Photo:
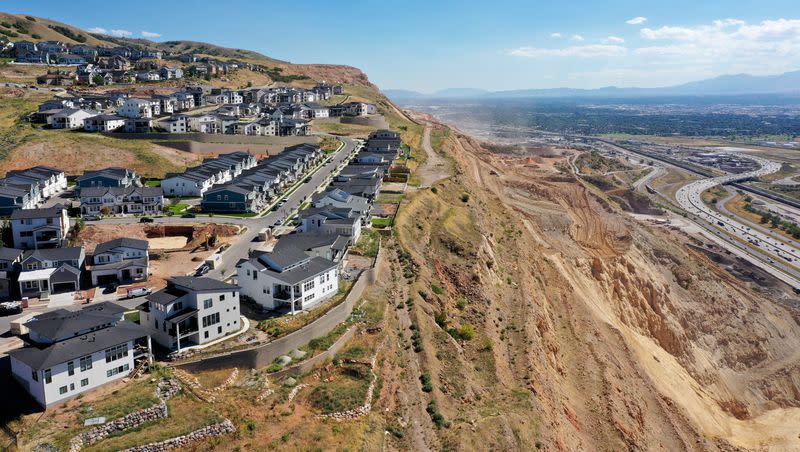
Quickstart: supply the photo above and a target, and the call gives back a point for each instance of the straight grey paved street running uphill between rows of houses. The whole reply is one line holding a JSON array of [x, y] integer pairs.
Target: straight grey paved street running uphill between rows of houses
[[320, 179]]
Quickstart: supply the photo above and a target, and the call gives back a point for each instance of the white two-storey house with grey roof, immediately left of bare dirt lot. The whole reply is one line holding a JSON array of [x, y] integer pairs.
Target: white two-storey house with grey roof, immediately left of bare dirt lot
[[121, 260]]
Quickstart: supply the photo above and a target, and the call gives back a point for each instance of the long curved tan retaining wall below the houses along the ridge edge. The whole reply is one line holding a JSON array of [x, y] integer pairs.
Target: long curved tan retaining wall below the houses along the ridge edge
[[263, 355]]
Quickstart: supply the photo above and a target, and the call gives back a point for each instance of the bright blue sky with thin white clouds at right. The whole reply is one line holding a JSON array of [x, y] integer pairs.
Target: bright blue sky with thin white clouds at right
[[495, 45]]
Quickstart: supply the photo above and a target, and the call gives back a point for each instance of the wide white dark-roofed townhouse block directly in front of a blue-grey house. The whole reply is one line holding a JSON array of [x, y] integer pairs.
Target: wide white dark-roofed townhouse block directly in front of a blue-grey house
[[130, 200]]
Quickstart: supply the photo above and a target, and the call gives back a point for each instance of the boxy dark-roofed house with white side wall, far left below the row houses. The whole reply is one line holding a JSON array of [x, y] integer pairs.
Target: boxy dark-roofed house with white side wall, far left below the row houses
[[40, 228]]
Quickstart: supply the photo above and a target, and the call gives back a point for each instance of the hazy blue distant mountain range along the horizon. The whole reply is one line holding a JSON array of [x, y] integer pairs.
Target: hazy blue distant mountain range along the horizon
[[739, 84]]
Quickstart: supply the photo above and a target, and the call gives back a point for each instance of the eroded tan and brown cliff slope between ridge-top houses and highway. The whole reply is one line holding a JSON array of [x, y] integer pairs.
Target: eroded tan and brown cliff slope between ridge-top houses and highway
[[592, 331]]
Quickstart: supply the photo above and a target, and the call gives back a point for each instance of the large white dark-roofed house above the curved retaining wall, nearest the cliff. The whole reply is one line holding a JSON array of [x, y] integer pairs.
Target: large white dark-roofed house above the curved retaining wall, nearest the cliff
[[288, 277]]
